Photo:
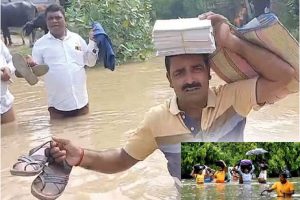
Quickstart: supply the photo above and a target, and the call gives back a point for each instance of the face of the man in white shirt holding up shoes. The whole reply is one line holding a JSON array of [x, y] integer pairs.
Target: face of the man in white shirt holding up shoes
[[56, 23]]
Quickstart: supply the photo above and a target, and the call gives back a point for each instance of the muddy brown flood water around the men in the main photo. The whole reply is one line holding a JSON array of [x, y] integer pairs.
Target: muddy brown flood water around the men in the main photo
[[118, 101]]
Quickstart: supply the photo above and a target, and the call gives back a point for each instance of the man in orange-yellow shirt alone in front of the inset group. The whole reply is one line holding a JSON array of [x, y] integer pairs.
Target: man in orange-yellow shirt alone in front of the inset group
[[284, 188]]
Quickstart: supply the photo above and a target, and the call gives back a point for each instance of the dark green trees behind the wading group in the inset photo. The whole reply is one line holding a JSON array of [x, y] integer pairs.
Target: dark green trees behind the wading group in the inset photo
[[280, 155]]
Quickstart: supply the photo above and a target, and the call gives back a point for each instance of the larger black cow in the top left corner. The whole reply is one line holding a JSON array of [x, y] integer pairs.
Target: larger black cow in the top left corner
[[15, 14]]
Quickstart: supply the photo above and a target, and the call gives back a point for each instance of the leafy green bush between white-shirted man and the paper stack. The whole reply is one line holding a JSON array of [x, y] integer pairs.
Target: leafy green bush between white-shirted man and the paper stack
[[127, 23]]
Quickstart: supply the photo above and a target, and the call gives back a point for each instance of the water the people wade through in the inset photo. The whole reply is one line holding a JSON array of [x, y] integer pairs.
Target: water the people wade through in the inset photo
[[222, 191]]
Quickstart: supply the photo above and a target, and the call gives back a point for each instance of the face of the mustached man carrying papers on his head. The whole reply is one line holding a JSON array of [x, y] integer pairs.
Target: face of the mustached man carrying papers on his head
[[189, 77]]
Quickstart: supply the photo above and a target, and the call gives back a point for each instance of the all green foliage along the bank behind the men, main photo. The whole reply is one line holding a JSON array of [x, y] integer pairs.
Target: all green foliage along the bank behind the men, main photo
[[129, 23]]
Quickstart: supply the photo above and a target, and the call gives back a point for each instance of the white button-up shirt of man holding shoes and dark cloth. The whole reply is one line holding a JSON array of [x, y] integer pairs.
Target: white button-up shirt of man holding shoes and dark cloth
[[66, 79]]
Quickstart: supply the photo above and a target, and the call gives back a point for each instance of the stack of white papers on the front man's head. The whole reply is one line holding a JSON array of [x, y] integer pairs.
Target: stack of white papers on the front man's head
[[183, 36]]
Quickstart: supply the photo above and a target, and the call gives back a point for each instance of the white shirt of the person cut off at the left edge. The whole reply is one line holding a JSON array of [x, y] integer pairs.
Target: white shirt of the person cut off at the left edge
[[5, 61]]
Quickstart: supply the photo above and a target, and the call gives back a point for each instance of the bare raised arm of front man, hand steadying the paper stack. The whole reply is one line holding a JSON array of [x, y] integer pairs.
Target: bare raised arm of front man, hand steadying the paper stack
[[274, 73]]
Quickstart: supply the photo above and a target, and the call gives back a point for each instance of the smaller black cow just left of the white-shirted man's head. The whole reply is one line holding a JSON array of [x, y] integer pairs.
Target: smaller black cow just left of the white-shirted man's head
[[38, 22]]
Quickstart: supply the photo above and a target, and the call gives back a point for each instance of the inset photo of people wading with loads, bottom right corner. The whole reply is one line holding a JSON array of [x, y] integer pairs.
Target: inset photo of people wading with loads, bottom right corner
[[252, 170]]
